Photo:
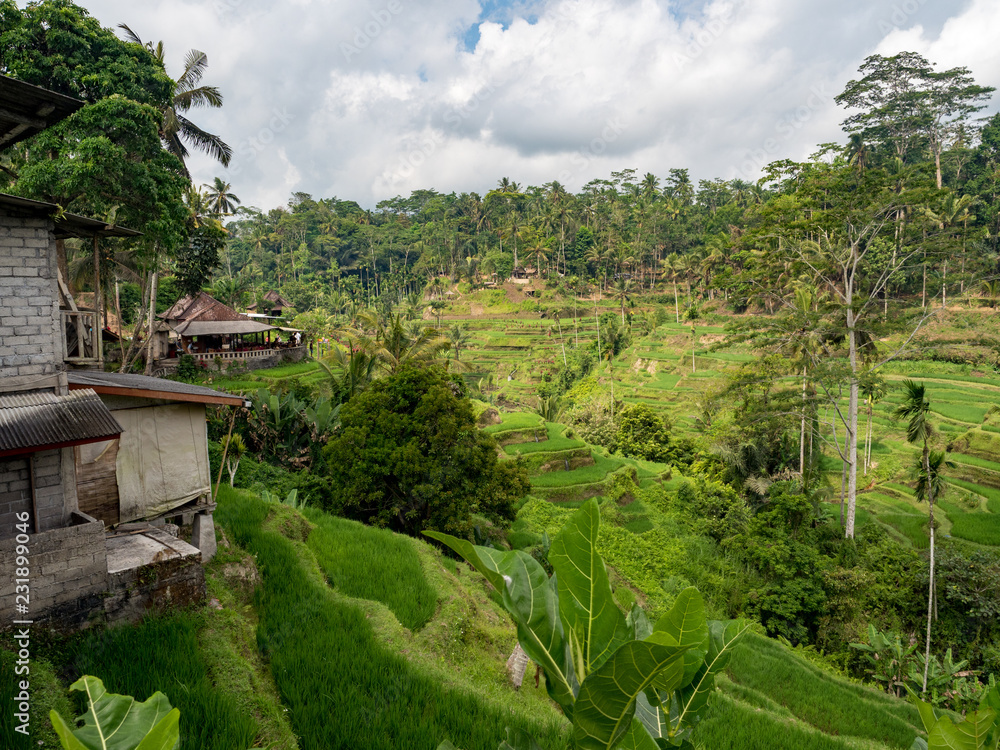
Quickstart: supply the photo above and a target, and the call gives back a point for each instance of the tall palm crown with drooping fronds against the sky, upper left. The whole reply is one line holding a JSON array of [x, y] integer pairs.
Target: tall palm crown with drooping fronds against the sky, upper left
[[175, 129]]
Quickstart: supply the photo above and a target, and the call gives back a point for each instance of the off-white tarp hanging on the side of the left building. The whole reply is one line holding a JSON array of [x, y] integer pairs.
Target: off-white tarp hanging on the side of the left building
[[162, 459]]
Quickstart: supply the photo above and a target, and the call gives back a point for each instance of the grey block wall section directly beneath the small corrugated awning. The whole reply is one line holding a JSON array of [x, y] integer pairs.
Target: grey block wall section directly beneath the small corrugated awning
[[50, 498]]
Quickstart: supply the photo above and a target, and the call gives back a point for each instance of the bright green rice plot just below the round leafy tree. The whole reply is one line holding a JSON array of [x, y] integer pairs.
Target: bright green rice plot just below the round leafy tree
[[369, 563]]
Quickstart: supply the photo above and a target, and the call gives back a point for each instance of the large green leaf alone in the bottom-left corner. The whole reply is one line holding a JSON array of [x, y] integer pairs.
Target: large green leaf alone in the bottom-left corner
[[119, 722]]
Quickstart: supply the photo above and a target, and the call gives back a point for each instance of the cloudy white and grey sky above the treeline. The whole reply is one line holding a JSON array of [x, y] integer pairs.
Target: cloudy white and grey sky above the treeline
[[366, 100]]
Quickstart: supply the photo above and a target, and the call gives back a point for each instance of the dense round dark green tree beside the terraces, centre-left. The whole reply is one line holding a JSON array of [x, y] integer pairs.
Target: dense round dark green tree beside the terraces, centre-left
[[409, 456]]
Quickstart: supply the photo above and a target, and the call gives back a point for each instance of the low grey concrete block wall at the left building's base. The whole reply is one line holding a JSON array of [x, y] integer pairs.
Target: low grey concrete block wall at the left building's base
[[68, 574]]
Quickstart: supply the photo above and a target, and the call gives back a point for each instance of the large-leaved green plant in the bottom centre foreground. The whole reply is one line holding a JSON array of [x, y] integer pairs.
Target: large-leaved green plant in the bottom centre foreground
[[621, 681]]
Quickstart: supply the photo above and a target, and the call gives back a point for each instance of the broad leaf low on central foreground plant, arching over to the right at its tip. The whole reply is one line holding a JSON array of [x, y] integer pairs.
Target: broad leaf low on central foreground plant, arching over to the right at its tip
[[605, 705]]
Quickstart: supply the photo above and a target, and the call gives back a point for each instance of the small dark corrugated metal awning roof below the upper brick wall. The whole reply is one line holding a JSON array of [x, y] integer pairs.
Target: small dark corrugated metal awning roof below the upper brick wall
[[37, 420]]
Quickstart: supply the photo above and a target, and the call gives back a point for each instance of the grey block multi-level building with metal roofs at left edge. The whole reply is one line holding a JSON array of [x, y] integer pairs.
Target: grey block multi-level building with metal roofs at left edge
[[58, 435]]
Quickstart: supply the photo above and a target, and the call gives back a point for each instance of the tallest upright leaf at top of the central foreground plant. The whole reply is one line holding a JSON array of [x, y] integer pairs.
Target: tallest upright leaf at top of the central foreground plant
[[586, 603]]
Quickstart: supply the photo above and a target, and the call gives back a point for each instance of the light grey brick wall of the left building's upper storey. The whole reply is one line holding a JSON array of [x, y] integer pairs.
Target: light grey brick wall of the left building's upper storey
[[30, 329]]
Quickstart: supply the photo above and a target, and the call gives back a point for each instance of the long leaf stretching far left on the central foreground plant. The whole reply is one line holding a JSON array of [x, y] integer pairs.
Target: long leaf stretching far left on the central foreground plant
[[532, 600]]
